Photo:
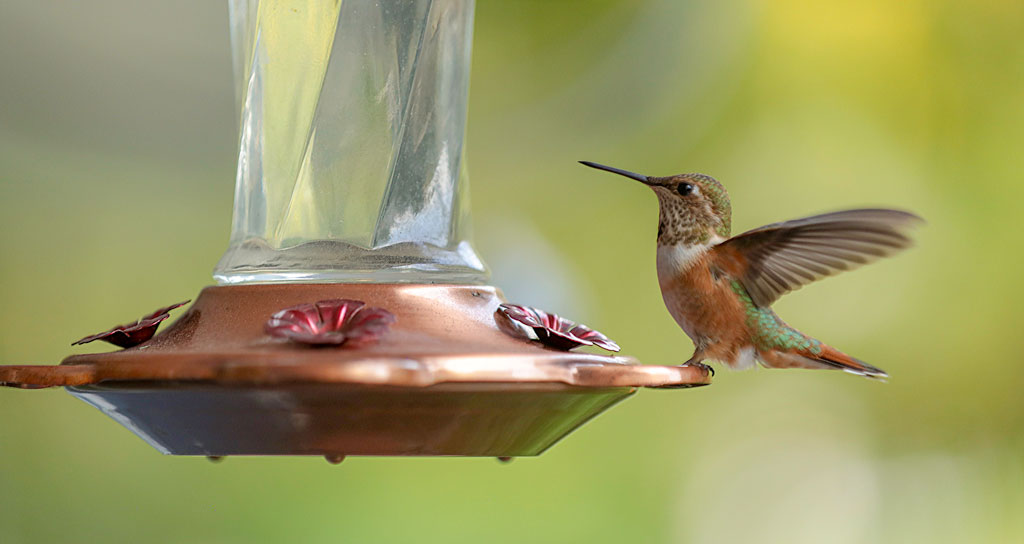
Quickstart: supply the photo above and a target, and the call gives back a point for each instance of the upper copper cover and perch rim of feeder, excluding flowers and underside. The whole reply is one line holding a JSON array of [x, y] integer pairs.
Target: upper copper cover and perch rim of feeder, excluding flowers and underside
[[444, 334]]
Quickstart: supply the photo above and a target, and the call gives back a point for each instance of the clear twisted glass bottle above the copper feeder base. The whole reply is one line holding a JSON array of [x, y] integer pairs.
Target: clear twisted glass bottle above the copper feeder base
[[351, 163]]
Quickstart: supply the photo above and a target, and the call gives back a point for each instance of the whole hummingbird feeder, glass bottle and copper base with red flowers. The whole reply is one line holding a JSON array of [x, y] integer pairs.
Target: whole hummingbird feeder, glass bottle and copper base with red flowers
[[352, 316]]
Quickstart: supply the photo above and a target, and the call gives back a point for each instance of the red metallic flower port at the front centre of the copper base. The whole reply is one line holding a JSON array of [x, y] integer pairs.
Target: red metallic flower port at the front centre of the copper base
[[331, 323]]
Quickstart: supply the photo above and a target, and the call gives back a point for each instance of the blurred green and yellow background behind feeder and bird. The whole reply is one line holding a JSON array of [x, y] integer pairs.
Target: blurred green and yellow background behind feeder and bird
[[117, 157]]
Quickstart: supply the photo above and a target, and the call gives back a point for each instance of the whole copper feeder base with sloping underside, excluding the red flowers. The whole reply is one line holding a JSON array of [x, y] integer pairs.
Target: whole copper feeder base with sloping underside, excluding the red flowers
[[447, 380]]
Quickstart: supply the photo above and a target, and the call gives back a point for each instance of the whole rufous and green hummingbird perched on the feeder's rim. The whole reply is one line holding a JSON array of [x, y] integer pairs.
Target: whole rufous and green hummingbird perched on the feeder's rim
[[720, 288]]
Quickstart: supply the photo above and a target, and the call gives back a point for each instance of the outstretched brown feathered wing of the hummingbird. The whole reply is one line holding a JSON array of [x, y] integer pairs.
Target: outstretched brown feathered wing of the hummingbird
[[778, 259]]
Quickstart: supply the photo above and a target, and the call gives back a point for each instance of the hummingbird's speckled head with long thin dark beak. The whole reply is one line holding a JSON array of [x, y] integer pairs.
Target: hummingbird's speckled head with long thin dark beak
[[695, 208]]
